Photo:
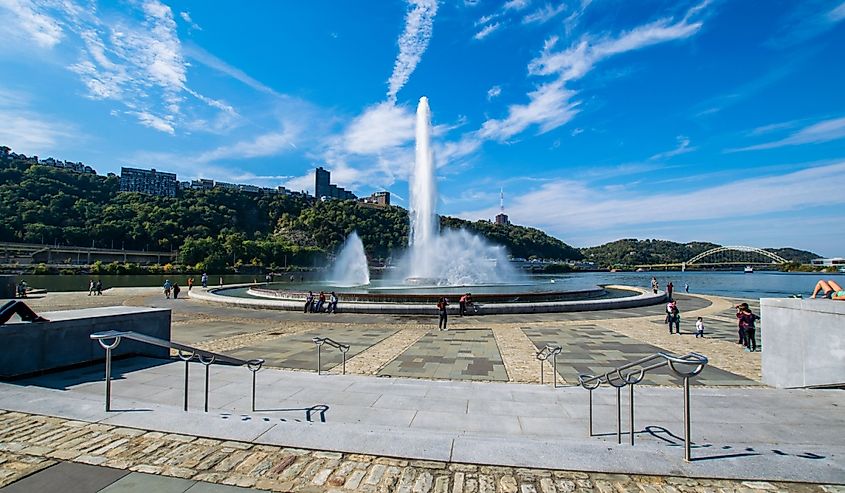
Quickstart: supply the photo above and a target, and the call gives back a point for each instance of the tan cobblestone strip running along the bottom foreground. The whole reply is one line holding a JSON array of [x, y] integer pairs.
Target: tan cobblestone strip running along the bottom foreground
[[30, 443]]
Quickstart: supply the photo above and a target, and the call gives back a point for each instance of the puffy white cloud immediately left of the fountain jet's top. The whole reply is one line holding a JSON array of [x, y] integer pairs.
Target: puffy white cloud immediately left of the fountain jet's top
[[380, 127]]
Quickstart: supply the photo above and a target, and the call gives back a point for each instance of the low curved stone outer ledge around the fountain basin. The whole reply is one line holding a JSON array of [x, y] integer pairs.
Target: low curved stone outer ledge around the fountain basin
[[640, 297]]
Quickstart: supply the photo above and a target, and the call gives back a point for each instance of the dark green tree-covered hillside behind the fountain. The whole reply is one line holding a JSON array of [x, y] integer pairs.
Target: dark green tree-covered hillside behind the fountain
[[216, 229]]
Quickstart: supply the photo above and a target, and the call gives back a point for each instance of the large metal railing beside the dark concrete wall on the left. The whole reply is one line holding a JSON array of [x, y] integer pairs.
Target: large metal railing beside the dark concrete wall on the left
[[186, 353]]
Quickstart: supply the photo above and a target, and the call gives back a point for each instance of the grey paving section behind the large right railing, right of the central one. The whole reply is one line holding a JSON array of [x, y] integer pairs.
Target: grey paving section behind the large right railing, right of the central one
[[594, 350]]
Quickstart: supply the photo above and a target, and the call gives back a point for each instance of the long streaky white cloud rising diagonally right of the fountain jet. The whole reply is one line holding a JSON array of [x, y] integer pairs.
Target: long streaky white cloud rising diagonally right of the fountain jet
[[551, 104]]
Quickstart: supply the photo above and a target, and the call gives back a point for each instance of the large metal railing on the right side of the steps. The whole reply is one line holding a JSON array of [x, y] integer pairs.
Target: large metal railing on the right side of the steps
[[686, 367]]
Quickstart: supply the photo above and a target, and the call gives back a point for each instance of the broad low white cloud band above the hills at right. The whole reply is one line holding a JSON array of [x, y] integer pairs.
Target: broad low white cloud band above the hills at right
[[810, 187]]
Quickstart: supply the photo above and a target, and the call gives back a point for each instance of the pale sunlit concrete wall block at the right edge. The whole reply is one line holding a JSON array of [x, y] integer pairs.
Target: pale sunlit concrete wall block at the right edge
[[803, 342]]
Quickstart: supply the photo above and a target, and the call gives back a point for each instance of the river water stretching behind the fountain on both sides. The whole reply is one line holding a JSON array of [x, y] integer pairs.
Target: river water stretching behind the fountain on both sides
[[730, 284]]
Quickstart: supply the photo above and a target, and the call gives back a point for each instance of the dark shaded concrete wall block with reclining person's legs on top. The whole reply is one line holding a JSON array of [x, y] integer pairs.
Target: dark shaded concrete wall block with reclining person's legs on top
[[64, 341]]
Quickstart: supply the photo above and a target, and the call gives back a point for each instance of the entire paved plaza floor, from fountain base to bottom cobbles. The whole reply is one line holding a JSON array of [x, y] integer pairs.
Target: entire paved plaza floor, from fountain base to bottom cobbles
[[440, 423]]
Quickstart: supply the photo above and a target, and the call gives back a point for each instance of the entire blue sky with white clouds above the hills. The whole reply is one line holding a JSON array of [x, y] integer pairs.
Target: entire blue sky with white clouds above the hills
[[717, 121]]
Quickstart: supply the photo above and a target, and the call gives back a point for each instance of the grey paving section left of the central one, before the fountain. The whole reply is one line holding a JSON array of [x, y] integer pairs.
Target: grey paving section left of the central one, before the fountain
[[299, 351]]
